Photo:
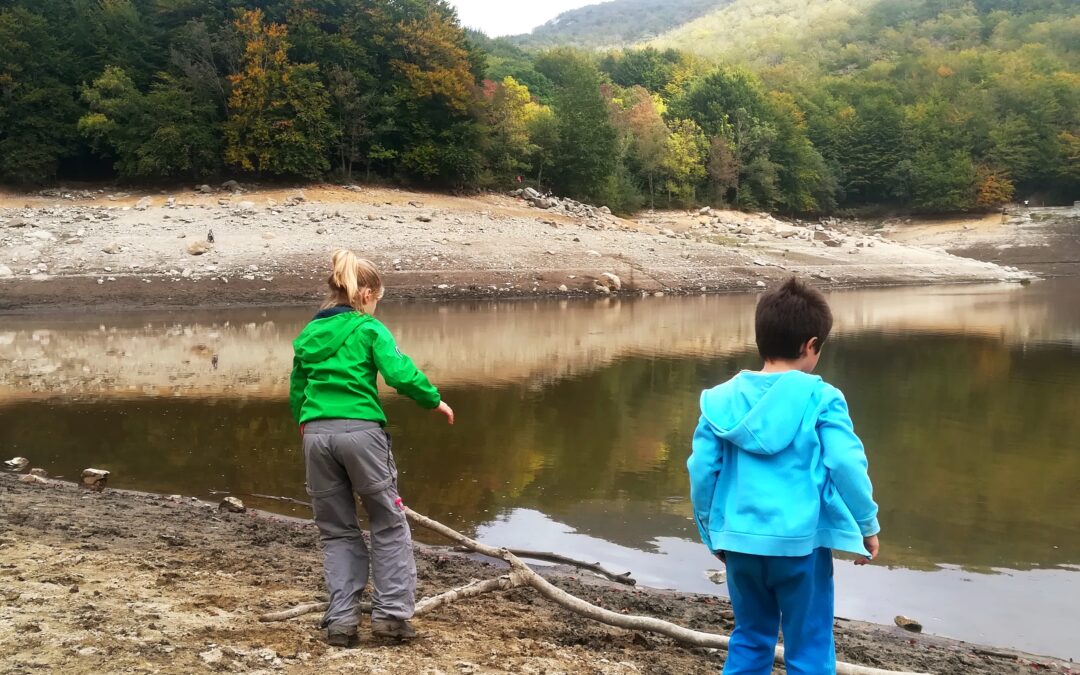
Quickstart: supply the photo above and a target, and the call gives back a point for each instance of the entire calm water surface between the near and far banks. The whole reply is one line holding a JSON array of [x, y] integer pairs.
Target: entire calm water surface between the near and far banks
[[574, 425]]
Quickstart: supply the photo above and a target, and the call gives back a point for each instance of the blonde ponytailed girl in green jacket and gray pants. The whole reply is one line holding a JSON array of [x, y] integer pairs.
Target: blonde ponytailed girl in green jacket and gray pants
[[335, 399]]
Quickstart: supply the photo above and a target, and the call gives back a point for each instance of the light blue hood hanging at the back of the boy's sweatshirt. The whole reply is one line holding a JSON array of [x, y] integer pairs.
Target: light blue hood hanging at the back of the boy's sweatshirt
[[760, 413]]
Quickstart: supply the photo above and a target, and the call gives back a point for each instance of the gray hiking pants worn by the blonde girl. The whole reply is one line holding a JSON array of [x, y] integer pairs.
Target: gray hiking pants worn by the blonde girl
[[344, 457]]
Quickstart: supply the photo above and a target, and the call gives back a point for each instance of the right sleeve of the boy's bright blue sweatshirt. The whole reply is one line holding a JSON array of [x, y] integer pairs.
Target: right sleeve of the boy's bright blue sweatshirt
[[846, 463]]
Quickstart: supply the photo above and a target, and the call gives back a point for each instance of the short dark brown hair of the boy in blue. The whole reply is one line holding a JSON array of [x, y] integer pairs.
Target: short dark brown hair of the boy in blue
[[788, 317]]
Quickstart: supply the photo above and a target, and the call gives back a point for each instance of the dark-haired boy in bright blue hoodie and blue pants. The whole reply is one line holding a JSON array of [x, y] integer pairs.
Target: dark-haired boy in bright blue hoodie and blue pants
[[778, 480]]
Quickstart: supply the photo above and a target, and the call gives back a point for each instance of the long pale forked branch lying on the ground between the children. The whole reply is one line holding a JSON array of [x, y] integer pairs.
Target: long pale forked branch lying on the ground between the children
[[522, 576]]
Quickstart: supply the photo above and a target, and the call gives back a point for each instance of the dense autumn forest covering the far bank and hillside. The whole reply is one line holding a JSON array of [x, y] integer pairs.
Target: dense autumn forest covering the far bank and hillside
[[920, 105]]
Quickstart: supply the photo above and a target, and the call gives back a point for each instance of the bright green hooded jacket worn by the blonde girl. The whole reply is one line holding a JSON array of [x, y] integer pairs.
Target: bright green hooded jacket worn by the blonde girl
[[337, 358]]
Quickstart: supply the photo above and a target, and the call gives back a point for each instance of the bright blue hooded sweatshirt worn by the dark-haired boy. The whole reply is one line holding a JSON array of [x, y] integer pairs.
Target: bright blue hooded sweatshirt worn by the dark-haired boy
[[777, 468]]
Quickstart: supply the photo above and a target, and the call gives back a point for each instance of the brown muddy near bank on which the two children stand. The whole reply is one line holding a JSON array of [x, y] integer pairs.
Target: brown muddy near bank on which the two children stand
[[137, 584]]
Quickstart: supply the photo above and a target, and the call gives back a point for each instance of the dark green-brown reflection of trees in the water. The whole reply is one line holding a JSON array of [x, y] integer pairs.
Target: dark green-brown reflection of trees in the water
[[974, 445]]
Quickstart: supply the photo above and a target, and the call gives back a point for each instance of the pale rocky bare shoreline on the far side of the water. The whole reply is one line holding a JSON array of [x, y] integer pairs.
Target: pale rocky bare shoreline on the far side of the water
[[272, 247]]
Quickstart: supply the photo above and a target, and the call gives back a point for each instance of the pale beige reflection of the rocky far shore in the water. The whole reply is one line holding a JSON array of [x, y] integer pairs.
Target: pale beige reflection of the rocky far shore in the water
[[248, 354]]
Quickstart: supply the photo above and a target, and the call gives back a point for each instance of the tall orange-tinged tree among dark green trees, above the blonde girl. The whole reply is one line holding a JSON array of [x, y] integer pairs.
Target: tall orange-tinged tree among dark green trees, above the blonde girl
[[279, 119]]
